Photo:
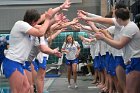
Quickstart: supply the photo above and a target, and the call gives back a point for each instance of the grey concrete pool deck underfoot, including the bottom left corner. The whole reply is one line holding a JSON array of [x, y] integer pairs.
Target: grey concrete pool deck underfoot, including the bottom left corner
[[59, 84]]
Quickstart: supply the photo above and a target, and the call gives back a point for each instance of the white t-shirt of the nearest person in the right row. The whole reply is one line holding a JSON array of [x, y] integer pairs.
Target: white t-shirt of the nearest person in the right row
[[132, 49]]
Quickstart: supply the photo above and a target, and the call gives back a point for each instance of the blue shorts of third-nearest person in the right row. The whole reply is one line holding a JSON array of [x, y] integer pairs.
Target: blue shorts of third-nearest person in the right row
[[112, 66]]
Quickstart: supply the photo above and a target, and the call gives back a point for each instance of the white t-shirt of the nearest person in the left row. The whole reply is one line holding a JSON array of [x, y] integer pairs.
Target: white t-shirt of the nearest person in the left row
[[19, 42]]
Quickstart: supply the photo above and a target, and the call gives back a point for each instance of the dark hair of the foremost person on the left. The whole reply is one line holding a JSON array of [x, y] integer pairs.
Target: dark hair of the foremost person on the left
[[31, 15]]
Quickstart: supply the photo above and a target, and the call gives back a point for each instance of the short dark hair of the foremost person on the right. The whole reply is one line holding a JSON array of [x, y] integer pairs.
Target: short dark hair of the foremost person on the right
[[122, 13]]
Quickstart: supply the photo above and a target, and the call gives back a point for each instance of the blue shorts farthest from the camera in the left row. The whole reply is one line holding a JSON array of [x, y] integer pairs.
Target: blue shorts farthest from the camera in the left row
[[38, 65]]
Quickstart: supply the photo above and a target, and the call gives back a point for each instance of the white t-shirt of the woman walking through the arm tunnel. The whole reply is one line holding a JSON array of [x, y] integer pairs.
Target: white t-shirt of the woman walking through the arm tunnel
[[72, 50]]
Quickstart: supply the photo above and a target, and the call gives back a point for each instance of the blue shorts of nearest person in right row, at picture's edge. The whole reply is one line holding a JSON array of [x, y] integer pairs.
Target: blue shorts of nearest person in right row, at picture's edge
[[134, 65]]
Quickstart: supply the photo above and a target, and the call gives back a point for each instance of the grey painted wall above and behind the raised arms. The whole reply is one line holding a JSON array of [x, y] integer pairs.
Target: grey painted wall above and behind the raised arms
[[9, 14]]
